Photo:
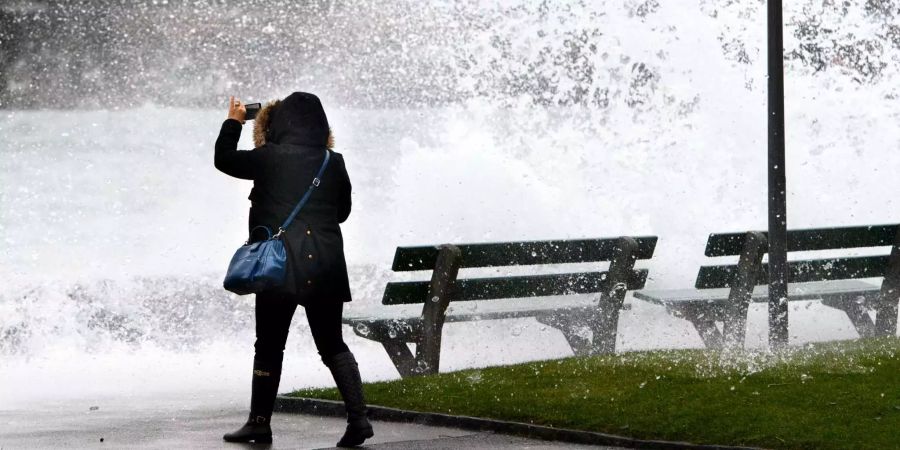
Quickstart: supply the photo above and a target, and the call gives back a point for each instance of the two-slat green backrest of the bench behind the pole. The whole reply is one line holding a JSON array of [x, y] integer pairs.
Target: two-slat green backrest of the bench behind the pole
[[719, 276]]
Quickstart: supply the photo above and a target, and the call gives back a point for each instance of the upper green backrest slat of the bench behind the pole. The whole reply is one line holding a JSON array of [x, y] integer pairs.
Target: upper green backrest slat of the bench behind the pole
[[726, 244]]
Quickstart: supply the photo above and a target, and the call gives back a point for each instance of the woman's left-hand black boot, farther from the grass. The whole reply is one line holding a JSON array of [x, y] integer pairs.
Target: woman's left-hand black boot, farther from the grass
[[262, 401]]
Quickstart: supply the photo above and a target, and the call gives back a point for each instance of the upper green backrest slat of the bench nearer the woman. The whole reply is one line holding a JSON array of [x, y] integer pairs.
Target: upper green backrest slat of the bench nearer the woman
[[521, 253]]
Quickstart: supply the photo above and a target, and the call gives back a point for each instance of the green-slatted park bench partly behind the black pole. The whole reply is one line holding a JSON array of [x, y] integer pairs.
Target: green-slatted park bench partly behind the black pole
[[723, 293]]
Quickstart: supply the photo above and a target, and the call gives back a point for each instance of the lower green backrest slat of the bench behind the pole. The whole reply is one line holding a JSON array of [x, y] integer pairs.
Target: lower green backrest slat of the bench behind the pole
[[800, 271]]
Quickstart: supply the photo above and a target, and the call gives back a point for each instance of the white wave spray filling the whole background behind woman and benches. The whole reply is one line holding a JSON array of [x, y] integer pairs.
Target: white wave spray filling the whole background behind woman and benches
[[523, 120]]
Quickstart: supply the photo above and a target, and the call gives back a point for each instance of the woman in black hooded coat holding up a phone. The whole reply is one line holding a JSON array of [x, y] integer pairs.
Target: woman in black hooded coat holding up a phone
[[291, 138]]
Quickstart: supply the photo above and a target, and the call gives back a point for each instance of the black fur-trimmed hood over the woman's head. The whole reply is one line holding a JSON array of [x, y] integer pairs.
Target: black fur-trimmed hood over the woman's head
[[299, 119]]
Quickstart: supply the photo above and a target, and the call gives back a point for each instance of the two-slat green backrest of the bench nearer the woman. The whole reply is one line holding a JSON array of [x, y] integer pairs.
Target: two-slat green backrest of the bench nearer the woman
[[519, 254]]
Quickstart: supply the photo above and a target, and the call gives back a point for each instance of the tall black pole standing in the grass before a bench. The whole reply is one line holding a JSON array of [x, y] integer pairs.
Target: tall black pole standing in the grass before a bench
[[778, 313]]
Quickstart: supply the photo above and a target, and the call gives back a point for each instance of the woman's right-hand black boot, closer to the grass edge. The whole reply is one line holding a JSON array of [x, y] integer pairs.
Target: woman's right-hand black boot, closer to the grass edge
[[346, 375]]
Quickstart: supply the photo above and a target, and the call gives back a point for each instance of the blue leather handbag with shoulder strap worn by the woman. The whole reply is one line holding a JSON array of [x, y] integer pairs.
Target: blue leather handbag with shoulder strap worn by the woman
[[262, 266]]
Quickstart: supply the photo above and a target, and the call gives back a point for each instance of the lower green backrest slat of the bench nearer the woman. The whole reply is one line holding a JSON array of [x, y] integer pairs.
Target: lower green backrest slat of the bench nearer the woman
[[398, 293]]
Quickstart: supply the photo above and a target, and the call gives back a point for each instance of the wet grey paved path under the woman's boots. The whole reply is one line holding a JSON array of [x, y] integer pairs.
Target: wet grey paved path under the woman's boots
[[170, 425]]
